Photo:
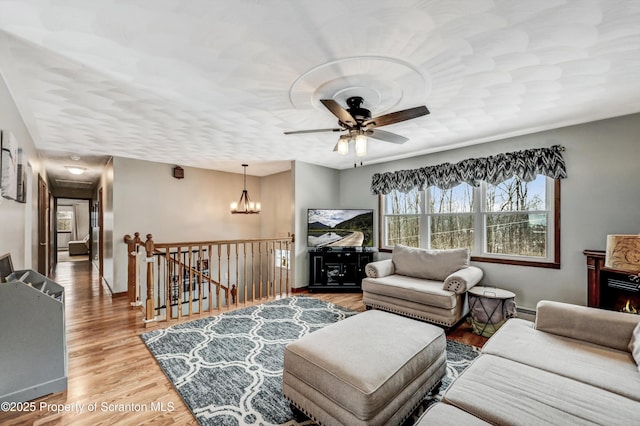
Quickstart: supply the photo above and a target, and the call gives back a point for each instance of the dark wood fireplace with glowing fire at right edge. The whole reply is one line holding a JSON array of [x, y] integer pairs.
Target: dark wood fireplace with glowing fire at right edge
[[610, 288]]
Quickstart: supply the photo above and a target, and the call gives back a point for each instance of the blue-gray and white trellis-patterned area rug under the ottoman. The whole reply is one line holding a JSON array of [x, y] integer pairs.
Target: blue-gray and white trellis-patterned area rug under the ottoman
[[228, 368]]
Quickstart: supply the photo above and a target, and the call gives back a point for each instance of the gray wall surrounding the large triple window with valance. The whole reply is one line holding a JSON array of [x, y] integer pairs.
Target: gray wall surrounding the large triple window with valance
[[599, 197]]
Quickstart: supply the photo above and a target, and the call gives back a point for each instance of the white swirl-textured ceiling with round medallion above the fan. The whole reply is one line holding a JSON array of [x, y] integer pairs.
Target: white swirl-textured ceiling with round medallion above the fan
[[214, 84]]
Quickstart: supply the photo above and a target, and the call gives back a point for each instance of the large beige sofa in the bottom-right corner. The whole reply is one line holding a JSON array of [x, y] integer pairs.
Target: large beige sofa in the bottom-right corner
[[575, 365]]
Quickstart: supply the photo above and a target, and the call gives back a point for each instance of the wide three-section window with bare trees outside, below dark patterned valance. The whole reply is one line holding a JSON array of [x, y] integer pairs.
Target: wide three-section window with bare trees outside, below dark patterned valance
[[511, 222]]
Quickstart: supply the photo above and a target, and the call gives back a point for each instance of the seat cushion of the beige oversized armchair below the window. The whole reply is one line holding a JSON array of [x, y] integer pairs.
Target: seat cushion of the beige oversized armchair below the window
[[417, 290]]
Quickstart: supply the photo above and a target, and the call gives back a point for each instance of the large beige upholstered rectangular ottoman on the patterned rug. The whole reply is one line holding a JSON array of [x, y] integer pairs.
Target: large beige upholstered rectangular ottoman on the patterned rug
[[373, 368]]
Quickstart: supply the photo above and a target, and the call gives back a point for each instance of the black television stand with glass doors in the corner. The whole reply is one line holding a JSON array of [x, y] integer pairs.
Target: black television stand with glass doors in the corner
[[335, 269]]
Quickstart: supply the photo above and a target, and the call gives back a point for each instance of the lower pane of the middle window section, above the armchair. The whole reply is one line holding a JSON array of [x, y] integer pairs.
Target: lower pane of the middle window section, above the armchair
[[452, 231]]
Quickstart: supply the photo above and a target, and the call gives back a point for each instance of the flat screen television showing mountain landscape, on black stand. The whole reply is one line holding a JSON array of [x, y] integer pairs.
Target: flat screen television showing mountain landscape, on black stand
[[340, 228]]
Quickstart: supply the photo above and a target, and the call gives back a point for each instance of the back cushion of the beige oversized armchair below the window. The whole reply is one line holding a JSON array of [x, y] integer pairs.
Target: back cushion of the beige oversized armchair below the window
[[428, 264]]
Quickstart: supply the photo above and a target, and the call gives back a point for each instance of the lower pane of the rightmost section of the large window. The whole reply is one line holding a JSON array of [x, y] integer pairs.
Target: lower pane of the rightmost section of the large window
[[517, 234]]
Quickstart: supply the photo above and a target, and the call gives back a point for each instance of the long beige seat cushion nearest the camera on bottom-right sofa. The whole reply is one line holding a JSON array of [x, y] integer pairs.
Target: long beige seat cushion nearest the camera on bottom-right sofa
[[501, 391]]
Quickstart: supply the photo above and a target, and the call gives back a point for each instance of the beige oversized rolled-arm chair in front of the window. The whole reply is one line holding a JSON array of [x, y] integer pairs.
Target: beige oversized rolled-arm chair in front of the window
[[430, 285]]
